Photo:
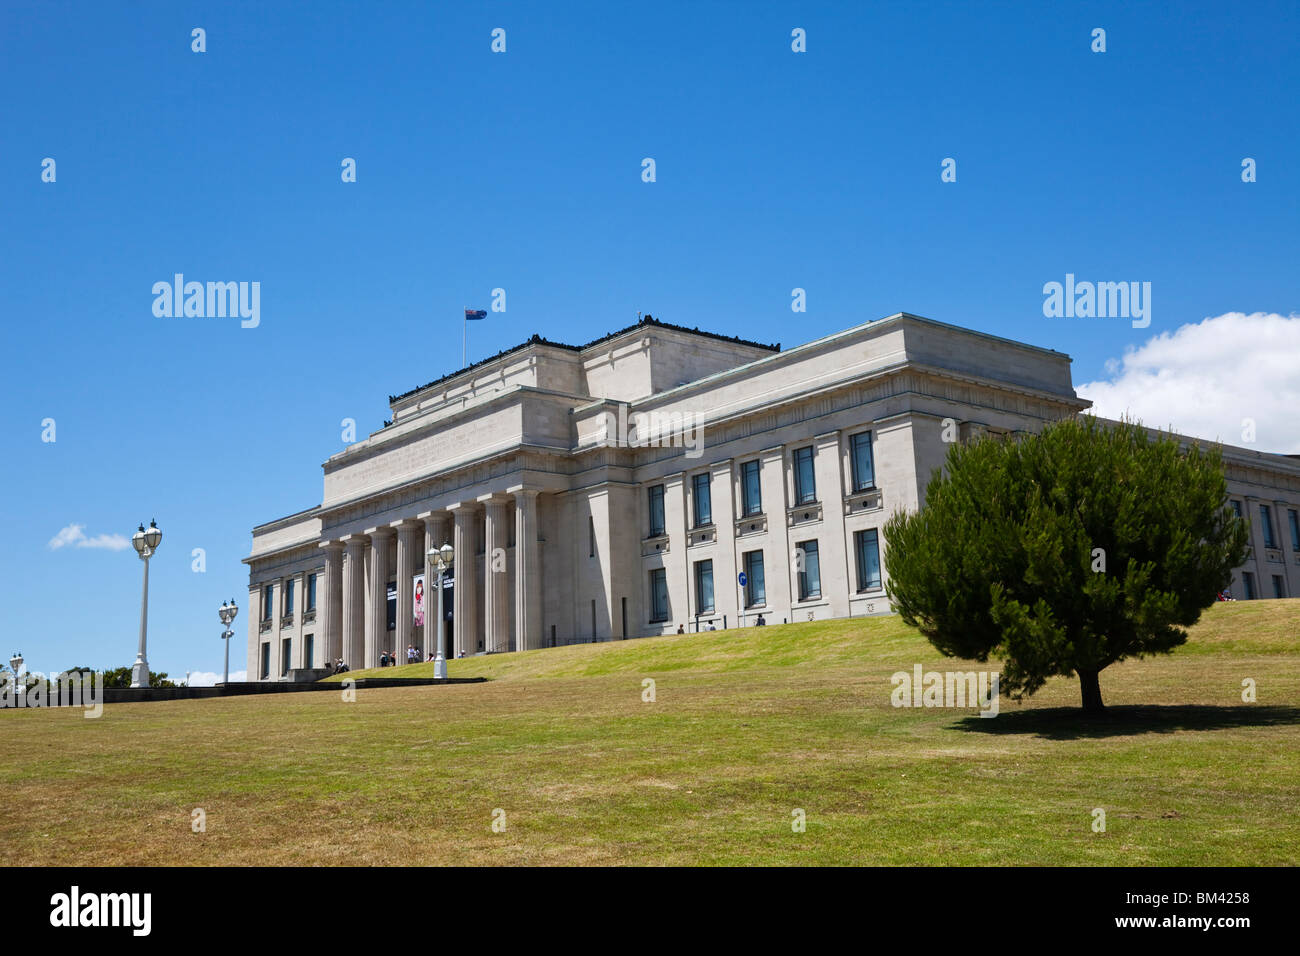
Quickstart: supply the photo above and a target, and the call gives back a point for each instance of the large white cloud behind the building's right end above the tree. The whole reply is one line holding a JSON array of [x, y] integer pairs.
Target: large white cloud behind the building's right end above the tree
[[1210, 379]]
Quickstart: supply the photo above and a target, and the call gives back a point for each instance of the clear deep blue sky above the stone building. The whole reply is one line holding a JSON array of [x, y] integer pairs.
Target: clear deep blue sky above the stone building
[[523, 171]]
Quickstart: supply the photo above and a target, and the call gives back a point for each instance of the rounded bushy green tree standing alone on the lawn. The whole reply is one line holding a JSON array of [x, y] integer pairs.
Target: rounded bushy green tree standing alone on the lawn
[[1065, 552]]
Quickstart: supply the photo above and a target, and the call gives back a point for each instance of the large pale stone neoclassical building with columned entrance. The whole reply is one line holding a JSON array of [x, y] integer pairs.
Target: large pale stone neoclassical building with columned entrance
[[658, 479]]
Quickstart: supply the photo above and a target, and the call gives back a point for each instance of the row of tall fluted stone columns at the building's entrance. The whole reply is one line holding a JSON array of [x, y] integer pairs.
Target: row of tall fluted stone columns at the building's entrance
[[361, 641]]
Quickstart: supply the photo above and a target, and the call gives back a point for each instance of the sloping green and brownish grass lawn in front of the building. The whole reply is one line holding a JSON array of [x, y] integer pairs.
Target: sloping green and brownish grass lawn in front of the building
[[747, 728]]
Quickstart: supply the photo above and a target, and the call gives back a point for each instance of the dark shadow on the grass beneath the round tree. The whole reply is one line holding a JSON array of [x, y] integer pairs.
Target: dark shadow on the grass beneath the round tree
[[1072, 724]]
